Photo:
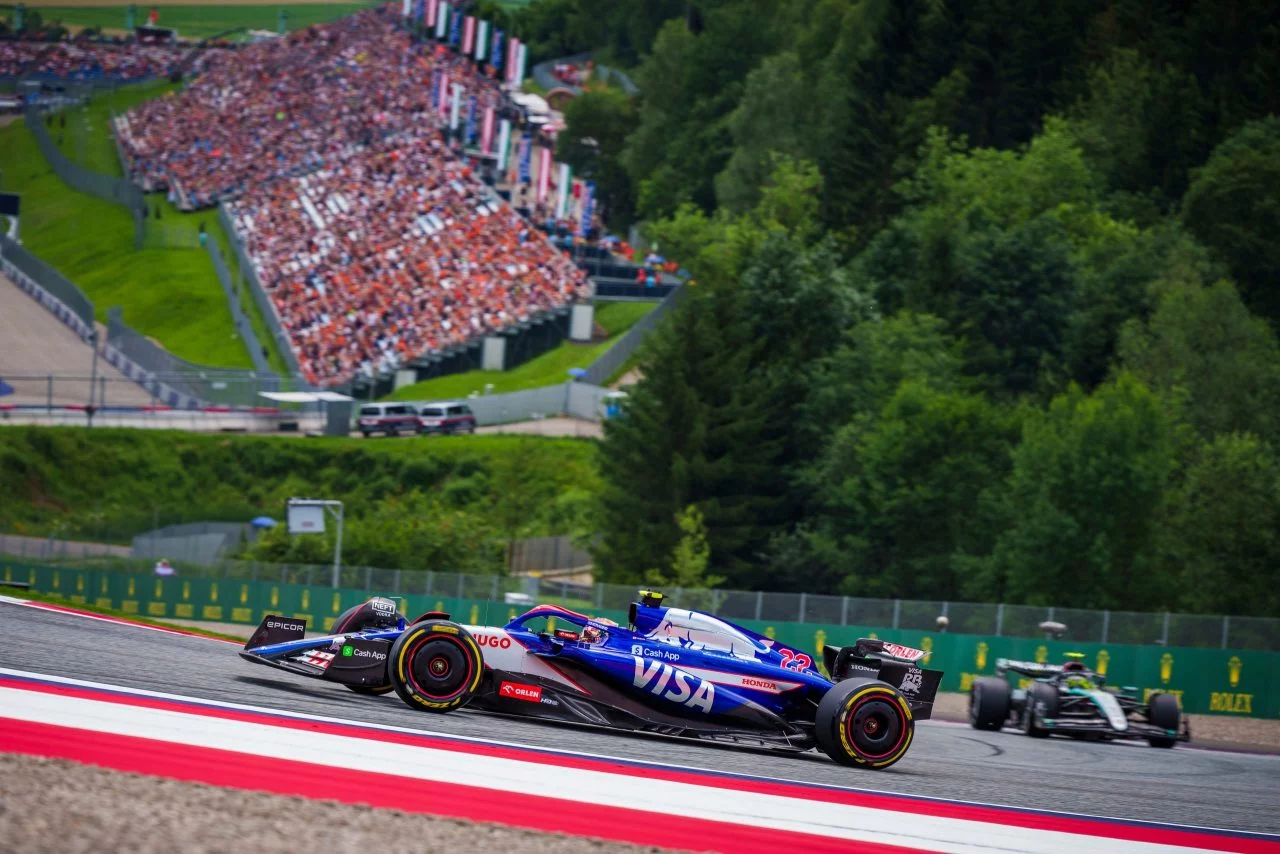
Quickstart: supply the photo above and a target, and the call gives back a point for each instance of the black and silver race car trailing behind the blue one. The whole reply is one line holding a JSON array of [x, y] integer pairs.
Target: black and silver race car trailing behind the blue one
[[1071, 700]]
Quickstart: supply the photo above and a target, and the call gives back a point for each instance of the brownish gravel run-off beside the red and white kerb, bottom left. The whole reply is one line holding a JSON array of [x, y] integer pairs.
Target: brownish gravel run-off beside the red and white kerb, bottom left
[[71, 809]]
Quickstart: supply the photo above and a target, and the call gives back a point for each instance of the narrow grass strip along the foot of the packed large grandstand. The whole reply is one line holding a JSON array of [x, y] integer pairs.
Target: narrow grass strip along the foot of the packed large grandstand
[[548, 369]]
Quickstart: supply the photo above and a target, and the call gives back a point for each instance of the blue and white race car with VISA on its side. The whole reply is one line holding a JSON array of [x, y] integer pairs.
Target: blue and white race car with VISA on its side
[[670, 672]]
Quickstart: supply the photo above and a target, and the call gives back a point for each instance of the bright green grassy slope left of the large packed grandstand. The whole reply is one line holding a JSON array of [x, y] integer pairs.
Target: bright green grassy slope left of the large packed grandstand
[[168, 290]]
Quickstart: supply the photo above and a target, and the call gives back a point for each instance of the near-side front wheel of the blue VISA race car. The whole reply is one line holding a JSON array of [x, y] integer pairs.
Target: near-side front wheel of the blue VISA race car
[[436, 666]]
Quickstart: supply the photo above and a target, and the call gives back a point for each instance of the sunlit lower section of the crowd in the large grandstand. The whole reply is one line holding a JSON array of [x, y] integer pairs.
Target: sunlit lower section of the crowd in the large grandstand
[[396, 253]]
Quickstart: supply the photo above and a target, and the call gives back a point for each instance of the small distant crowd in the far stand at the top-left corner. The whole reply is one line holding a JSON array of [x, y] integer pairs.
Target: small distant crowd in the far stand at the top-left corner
[[86, 61]]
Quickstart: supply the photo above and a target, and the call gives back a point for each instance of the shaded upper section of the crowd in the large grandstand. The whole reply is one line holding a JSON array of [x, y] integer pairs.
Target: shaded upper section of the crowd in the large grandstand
[[289, 107]]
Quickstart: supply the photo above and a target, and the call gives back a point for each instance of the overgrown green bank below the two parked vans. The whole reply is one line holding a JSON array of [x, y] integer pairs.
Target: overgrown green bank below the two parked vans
[[107, 486]]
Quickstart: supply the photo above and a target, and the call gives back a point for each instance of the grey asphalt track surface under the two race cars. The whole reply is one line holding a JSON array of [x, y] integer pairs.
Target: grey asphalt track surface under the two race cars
[[1183, 787]]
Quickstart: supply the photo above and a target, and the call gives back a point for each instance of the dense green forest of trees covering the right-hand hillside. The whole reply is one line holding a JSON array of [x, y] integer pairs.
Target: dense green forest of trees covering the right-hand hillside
[[986, 295]]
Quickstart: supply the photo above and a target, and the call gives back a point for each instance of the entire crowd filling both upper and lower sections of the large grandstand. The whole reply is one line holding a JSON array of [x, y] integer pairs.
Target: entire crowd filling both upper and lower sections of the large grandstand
[[374, 240]]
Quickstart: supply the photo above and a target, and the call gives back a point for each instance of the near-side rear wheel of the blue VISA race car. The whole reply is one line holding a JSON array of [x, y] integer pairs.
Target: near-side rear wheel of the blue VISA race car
[[865, 723]]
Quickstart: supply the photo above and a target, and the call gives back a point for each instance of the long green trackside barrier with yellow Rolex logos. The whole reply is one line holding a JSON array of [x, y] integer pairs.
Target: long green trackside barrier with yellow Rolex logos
[[1218, 682]]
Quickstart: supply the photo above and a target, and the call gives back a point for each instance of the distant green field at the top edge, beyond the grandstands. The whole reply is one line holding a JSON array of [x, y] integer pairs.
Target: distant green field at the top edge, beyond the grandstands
[[204, 21]]
